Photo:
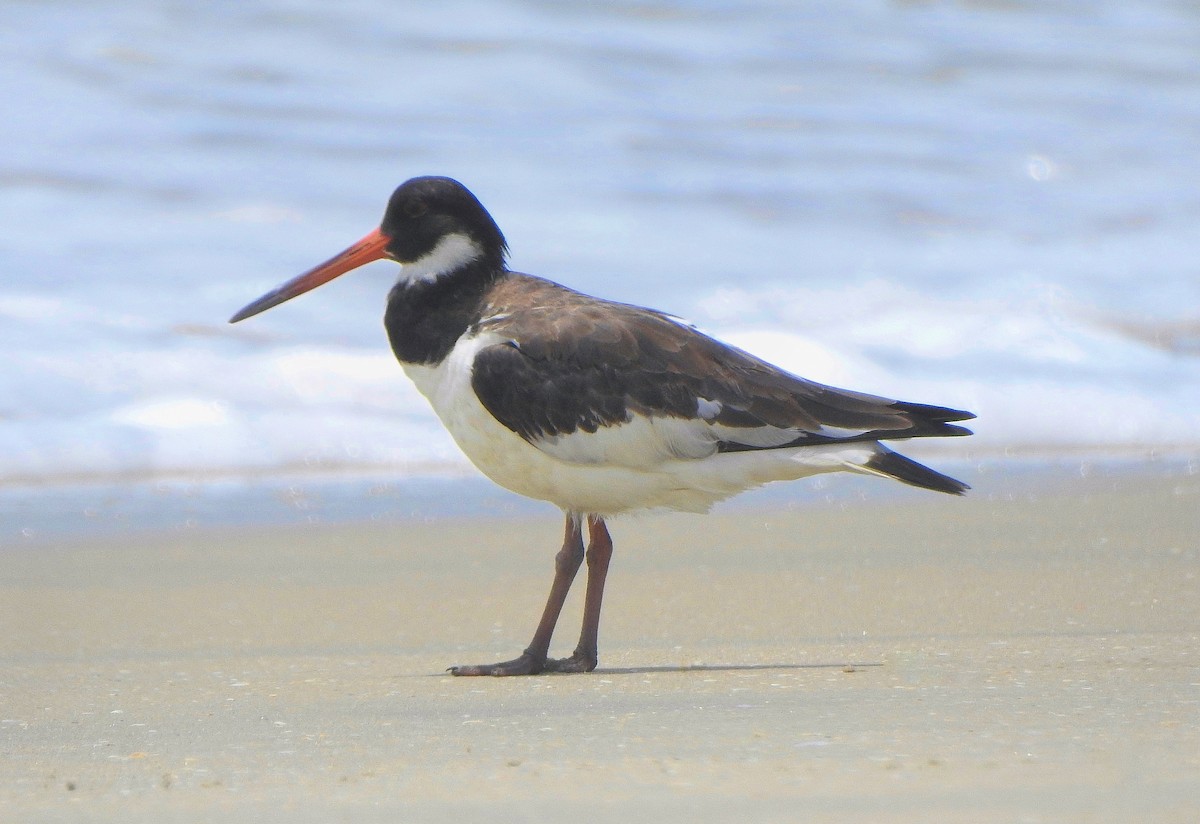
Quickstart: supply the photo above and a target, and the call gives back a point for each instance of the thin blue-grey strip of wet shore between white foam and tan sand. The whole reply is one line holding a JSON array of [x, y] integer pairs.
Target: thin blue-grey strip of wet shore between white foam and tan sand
[[32, 515]]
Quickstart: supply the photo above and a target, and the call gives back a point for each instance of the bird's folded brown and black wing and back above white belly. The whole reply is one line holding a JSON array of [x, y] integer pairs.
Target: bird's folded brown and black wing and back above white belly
[[571, 363]]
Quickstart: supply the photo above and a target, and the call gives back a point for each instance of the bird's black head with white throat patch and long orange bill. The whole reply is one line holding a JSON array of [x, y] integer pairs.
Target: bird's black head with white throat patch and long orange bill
[[434, 226]]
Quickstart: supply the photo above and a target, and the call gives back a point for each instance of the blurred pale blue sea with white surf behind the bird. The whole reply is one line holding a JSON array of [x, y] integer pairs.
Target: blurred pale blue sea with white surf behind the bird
[[987, 205]]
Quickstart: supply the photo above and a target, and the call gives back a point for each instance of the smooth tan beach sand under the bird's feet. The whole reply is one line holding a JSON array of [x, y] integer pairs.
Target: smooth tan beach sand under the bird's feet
[[1003, 658]]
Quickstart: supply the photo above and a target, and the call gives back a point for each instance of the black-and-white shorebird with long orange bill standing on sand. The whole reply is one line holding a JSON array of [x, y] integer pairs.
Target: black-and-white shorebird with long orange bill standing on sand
[[598, 407]]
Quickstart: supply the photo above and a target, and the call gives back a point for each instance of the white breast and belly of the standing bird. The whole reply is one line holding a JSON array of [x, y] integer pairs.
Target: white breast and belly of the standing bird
[[602, 489]]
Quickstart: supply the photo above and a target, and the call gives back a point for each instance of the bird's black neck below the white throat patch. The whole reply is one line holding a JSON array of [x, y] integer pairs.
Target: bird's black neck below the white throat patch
[[425, 318]]
